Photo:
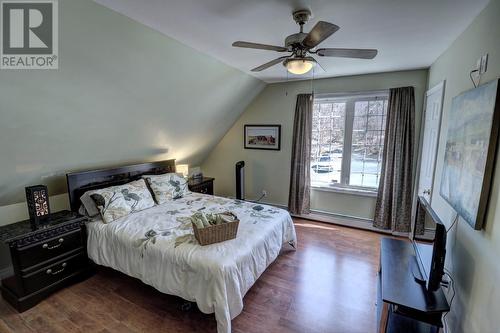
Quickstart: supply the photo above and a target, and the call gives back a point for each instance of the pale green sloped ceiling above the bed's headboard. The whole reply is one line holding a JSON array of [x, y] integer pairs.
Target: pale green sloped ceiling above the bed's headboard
[[123, 93]]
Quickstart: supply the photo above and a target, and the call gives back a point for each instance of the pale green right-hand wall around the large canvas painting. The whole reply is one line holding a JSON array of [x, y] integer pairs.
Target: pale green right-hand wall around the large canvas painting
[[472, 255]]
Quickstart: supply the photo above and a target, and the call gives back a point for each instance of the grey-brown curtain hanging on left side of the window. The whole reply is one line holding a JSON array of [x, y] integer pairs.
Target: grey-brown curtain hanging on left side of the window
[[300, 177]]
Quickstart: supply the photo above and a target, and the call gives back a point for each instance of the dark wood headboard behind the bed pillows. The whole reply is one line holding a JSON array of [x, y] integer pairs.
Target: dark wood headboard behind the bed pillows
[[80, 182]]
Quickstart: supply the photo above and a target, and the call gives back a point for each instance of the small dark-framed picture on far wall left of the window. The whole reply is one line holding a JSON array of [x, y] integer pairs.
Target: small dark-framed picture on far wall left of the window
[[267, 137]]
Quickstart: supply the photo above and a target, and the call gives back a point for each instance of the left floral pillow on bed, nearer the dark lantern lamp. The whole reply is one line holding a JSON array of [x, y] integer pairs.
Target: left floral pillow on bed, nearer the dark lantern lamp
[[118, 201]]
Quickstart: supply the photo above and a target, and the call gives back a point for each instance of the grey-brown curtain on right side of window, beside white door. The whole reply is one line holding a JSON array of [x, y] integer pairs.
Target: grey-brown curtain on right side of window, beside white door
[[394, 199]]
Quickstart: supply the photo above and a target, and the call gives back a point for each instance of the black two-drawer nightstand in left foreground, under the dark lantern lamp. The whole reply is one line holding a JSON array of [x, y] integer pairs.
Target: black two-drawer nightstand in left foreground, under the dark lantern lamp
[[44, 259]]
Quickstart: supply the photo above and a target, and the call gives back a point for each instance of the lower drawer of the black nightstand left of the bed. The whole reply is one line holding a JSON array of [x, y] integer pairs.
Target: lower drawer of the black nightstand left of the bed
[[53, 273]]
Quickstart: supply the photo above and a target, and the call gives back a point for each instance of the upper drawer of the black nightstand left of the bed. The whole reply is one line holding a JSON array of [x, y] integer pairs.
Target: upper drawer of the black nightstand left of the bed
[[48, 249]]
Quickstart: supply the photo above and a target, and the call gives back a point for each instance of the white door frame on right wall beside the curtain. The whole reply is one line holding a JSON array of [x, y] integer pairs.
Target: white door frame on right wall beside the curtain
[[440, 86]]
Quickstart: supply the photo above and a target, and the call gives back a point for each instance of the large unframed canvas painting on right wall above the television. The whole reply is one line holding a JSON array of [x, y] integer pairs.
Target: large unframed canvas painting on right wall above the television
[[470, 152]]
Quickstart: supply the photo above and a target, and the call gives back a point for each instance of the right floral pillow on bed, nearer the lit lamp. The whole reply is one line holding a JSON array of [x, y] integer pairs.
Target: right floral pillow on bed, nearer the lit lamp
[[167, 186]]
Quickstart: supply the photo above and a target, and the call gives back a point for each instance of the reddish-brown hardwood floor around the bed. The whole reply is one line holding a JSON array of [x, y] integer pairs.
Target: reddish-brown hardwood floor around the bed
[[327, 285]]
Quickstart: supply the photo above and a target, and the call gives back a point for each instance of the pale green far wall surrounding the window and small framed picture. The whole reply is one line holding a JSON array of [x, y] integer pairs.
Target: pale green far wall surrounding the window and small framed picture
[[270, 170]]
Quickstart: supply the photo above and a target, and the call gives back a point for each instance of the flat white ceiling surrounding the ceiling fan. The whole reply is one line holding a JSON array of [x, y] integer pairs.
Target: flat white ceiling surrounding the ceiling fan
[[409, 34]]
